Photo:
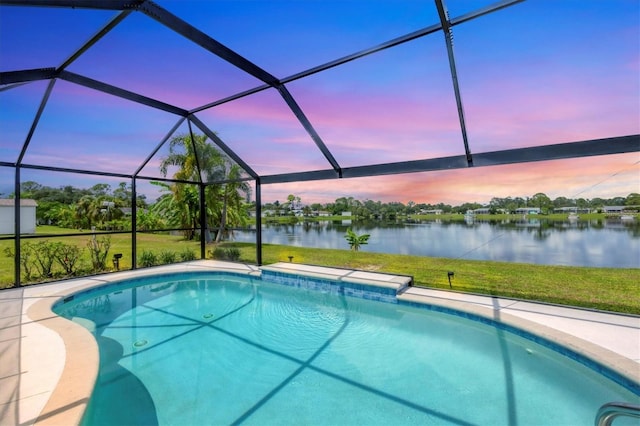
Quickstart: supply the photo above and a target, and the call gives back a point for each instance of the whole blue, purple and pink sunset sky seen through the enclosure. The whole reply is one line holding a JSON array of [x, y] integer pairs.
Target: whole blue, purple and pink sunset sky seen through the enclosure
[[536, 73]]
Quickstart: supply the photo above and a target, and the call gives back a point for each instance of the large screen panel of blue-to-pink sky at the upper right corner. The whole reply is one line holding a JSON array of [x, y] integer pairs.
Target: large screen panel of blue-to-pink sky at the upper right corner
[[526, 85]]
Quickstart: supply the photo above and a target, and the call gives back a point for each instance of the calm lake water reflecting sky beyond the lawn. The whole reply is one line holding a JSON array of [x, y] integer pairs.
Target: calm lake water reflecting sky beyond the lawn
[[599, 243]]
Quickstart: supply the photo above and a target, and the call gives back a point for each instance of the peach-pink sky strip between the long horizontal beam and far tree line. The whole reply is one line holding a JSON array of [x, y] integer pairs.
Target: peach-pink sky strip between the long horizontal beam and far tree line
[[606, 177]]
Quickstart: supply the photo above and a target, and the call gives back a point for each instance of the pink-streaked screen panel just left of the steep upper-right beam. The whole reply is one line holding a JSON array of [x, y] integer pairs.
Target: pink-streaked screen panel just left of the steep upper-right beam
[[394, 105]]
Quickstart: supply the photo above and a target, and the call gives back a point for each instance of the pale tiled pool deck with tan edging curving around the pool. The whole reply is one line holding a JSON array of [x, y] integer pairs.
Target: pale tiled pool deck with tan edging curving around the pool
[[47, 380]]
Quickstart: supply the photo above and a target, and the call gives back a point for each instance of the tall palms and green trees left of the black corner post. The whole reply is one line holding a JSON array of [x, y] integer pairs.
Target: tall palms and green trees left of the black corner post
[[103, 207]]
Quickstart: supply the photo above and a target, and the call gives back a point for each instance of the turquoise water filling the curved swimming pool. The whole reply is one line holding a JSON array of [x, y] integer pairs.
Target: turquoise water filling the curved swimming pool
[[227, 349]]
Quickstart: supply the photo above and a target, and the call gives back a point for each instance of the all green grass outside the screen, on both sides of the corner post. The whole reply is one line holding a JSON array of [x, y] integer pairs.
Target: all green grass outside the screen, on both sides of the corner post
[[610, 289]]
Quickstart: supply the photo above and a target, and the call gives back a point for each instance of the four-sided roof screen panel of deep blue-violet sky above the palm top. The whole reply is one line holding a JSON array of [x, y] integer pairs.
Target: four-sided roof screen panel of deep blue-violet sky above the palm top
[[161, 64]]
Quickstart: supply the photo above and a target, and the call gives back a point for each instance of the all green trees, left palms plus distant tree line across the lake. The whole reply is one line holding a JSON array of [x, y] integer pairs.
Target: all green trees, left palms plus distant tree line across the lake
[[228, 199]]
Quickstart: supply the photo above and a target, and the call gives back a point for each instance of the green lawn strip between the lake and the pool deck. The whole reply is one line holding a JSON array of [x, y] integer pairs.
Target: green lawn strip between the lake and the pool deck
[[609, 289]]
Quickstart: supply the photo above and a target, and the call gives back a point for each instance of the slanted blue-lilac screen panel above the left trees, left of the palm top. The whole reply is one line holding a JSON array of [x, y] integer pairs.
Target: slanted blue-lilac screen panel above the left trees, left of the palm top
[[85, 129]]
